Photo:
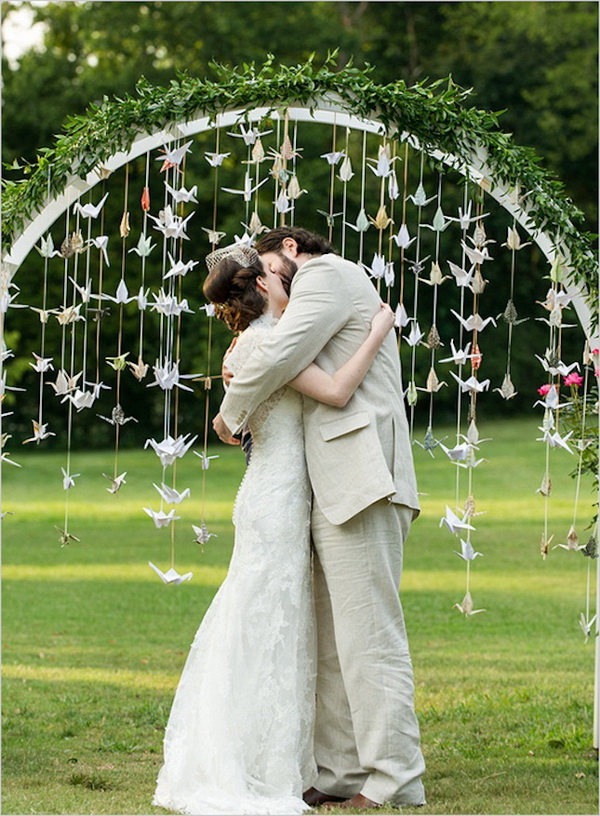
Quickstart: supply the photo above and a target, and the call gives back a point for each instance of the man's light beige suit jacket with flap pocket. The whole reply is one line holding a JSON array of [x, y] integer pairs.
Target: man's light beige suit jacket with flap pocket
[[358, 454]]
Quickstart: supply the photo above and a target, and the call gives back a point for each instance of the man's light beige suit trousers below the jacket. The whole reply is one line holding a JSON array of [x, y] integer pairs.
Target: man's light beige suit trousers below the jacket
[[367, 735]]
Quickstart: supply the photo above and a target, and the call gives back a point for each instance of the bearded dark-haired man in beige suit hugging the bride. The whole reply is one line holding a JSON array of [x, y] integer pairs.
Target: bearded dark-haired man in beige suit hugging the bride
[[361, 471]]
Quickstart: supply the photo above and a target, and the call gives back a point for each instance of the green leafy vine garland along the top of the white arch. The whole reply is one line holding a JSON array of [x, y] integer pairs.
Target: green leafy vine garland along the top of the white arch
[[433, 111]]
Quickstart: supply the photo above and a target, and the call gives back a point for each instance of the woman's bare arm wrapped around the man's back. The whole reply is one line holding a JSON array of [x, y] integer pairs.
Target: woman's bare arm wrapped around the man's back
[[337, 389]]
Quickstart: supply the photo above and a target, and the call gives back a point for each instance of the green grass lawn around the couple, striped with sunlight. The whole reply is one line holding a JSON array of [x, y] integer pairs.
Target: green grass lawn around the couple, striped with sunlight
[[93, 641]]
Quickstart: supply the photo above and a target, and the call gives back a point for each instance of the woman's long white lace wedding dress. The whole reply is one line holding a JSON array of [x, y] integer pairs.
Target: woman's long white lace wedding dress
[[240, 734]]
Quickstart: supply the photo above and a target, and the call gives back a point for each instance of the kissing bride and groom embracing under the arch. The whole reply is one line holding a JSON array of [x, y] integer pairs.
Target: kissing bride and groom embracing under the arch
[[298, 688]]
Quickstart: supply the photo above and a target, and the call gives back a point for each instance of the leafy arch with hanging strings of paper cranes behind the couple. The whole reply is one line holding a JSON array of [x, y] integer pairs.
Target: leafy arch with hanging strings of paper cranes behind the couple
[[444, 212]]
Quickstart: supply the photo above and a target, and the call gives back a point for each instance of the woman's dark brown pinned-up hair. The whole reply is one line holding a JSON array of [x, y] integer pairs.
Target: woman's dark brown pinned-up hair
[[232, 289]]
